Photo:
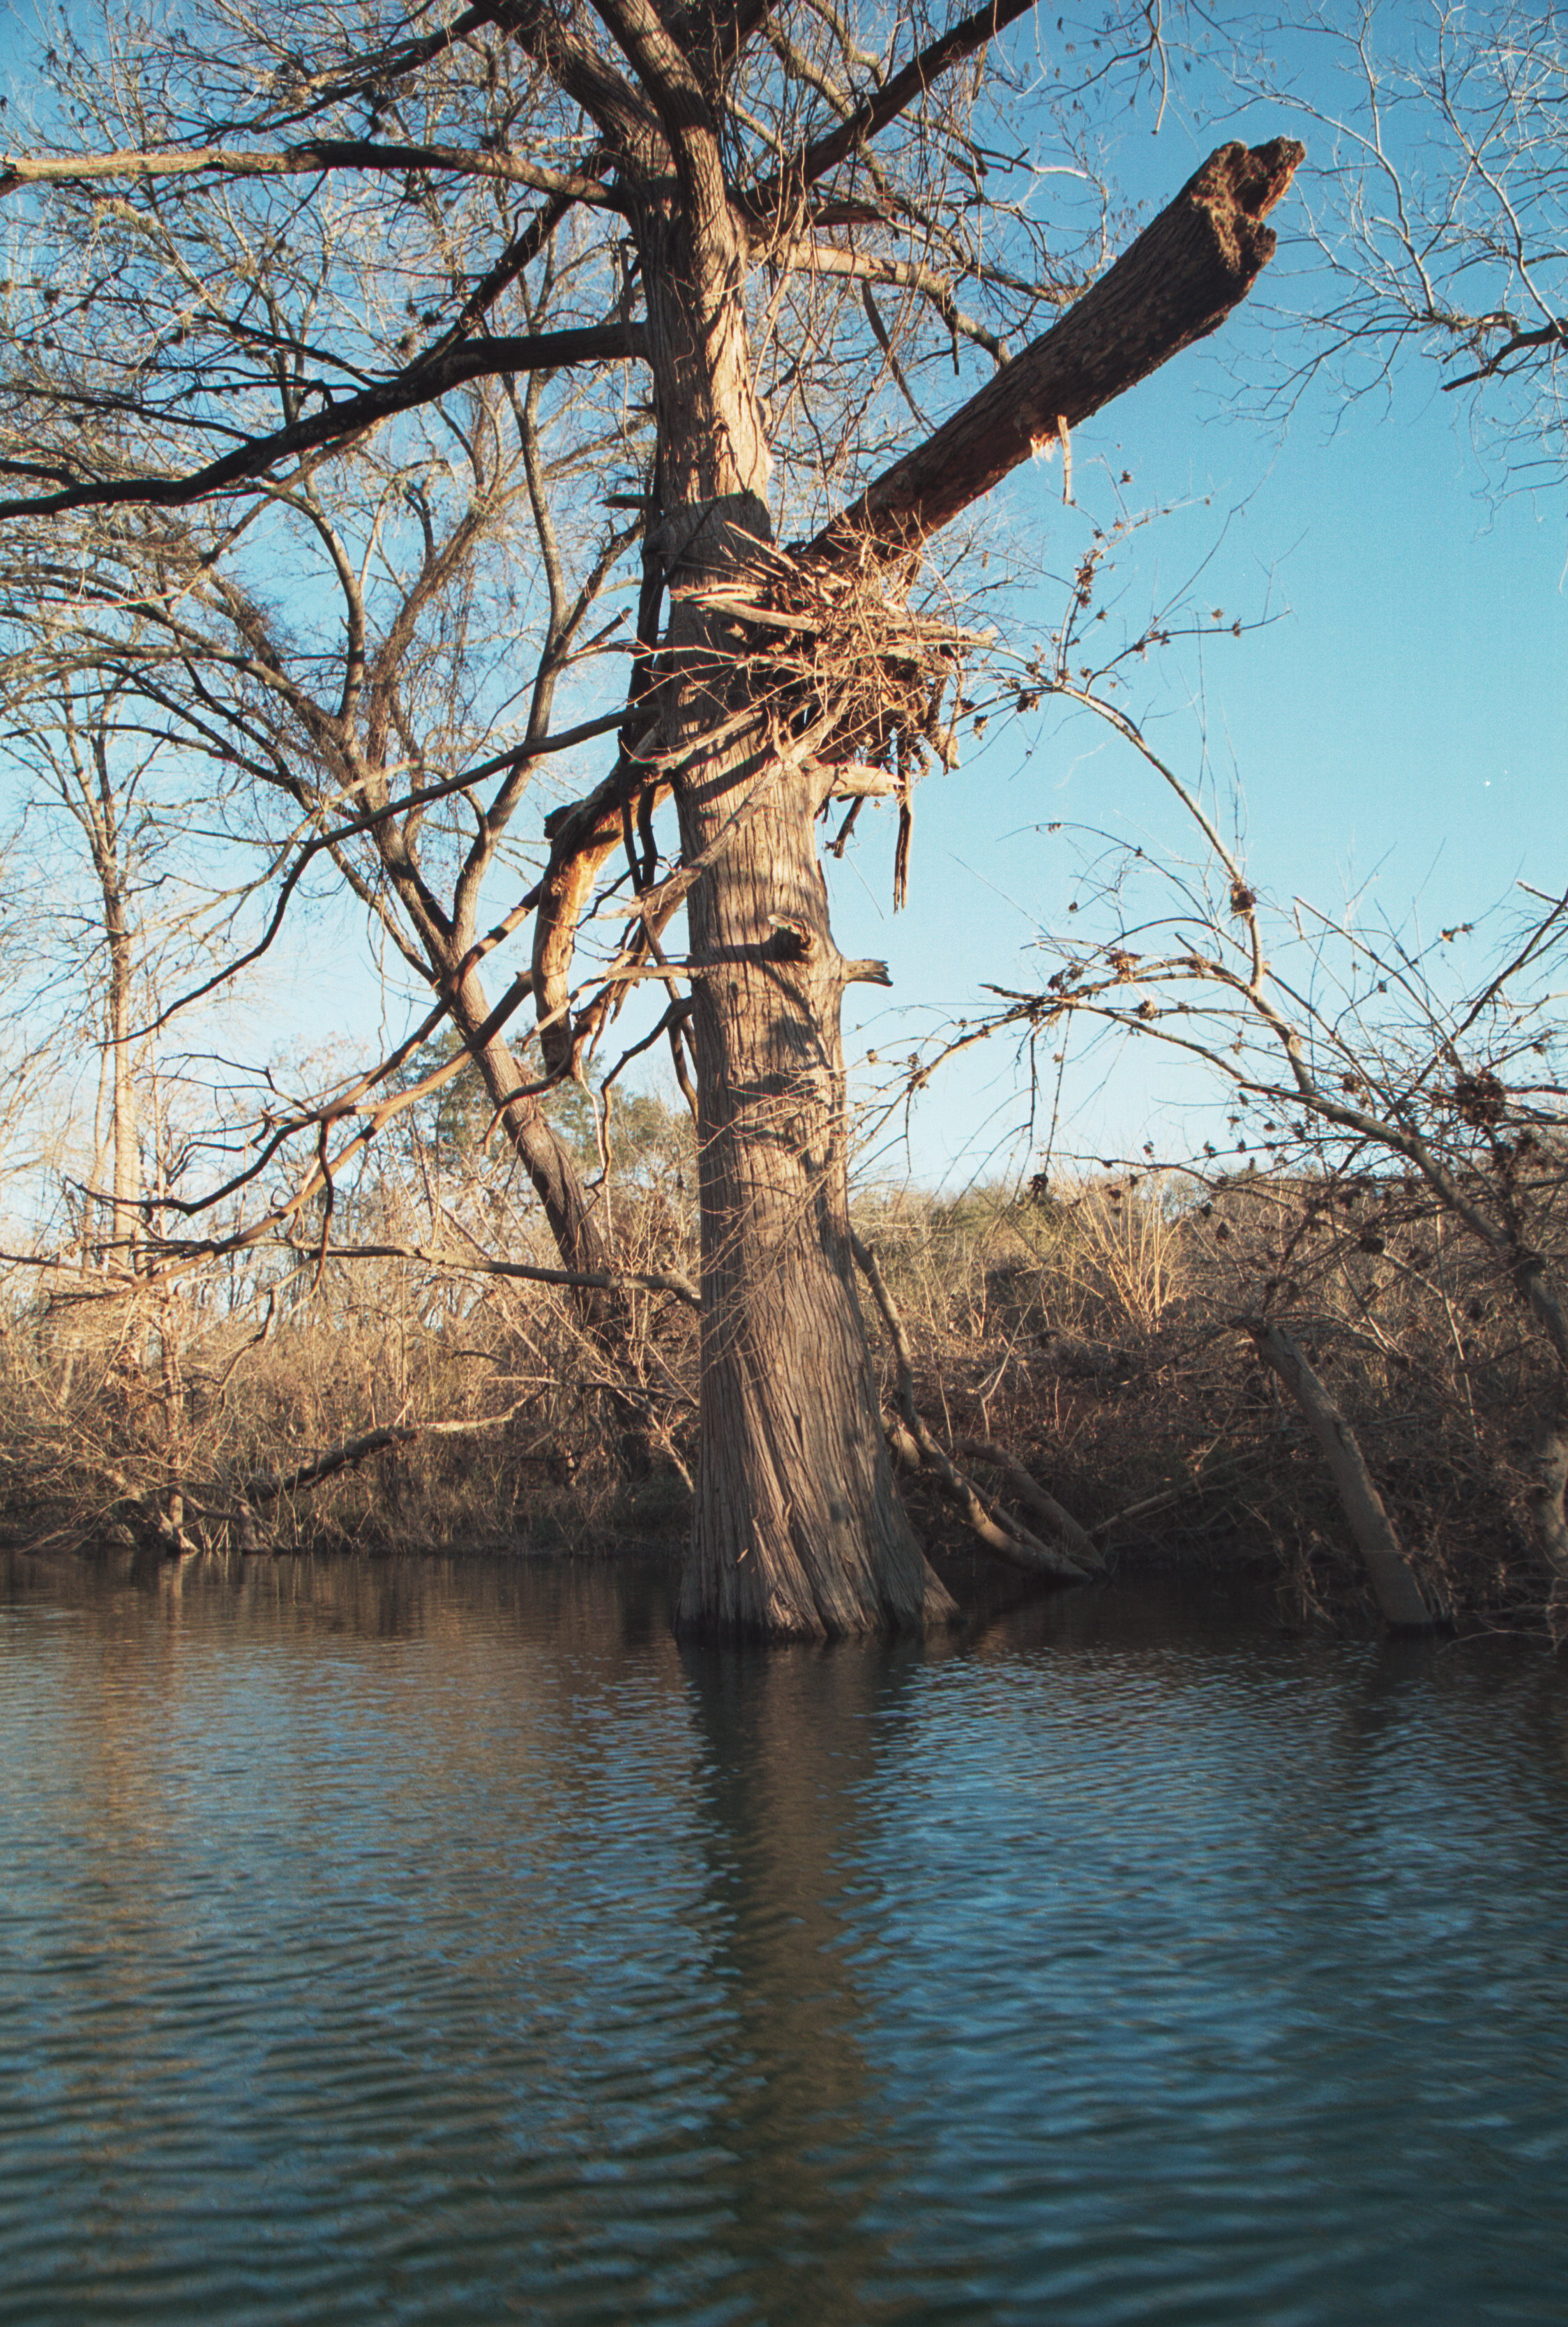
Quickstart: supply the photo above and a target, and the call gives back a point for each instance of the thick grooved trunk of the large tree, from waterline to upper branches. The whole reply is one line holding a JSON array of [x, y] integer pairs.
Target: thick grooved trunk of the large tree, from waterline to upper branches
[[799, 1528]]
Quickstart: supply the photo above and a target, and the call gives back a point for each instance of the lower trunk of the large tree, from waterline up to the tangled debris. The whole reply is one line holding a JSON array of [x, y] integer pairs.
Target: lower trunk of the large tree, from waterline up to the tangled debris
[[799, 1525]]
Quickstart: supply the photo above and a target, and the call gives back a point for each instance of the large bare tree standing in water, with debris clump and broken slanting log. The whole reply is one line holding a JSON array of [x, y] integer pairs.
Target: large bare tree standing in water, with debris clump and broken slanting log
[[694, 178]]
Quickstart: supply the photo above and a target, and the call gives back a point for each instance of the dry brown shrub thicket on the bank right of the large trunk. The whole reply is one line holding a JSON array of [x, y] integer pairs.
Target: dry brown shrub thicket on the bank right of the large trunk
[[1097, 1332]]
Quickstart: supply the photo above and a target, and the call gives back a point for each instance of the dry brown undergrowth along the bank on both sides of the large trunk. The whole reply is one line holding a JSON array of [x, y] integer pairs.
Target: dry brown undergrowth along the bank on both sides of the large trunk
[[1097, 1332]]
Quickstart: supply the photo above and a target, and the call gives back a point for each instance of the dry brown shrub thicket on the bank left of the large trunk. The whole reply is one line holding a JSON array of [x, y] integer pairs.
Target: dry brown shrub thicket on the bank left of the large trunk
[[408, 1402]]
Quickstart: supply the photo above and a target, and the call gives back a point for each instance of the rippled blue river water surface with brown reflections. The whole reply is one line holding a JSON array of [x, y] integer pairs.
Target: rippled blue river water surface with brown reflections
[[443, 1944]]
